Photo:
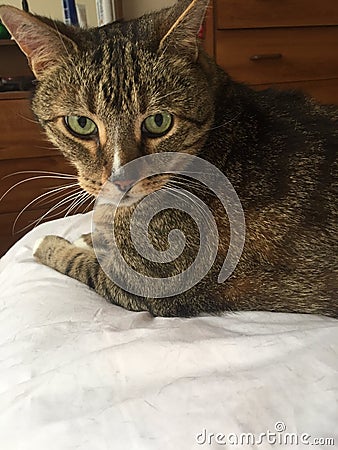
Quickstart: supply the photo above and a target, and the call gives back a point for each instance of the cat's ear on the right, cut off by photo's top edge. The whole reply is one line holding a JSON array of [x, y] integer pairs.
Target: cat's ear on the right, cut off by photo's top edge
[[187, 17]]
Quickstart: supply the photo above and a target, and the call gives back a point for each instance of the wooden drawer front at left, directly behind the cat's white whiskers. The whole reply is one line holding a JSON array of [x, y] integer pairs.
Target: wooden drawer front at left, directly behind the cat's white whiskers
[[25, 192]]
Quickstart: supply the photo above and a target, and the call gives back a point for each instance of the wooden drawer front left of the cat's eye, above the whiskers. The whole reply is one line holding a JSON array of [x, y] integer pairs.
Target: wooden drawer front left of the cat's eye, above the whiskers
[[20, 135]]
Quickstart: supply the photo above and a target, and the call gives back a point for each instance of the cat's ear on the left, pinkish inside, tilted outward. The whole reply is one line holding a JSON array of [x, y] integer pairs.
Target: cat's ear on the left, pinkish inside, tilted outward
[[43, 45]]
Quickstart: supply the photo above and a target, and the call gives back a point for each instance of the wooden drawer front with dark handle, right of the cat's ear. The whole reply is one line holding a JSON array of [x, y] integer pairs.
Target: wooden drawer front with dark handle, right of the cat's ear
[[278, 55]]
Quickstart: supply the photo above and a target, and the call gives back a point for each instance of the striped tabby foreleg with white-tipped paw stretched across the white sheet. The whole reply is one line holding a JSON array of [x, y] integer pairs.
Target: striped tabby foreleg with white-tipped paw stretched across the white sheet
[[82, 265]]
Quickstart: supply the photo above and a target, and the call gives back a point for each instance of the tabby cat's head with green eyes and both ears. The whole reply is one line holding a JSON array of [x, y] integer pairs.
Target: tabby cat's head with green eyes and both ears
[[108, 95]]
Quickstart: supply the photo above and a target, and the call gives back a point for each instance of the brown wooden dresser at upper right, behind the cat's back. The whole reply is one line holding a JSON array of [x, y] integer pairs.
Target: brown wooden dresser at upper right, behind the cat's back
[[281, 43]]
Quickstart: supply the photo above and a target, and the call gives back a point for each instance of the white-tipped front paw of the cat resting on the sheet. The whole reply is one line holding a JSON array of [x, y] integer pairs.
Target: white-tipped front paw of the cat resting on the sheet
[[47, 249]]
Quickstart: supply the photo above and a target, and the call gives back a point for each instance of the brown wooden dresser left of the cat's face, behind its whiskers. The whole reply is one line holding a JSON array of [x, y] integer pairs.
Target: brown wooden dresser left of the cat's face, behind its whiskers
[[23, 147]]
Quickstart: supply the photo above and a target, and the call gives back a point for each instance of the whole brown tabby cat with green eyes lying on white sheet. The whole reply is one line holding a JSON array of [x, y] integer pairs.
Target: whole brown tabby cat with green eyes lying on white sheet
[[106, 96]]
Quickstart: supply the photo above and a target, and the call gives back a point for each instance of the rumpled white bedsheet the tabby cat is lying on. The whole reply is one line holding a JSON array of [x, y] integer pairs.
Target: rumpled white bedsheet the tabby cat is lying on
[[78, 373]]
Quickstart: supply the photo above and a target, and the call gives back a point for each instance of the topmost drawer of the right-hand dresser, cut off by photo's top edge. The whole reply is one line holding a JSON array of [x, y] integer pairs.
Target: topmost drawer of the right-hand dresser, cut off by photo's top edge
[[275, 13]]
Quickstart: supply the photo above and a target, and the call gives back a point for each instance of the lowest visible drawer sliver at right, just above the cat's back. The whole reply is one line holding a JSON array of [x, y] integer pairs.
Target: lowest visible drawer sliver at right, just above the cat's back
[[324, 91]]
